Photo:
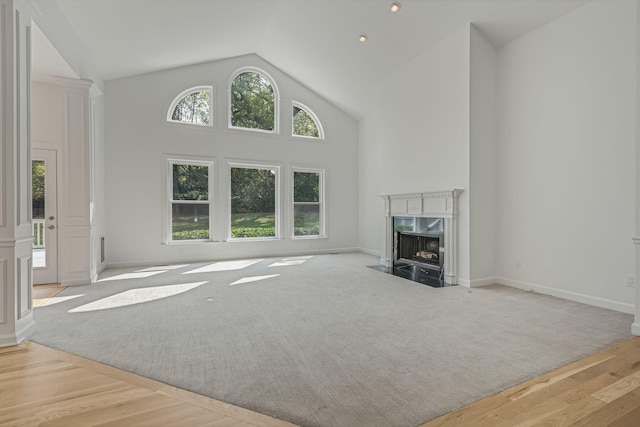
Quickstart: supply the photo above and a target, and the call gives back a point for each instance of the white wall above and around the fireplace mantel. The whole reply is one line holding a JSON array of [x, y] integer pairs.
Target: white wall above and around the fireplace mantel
[[420, 138]]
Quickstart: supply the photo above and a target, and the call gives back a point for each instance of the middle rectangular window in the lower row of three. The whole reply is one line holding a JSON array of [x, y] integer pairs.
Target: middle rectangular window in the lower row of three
[[254, 201]]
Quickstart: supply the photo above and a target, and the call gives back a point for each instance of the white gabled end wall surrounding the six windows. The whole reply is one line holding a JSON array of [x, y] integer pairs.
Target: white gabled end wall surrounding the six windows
[[138, 138]]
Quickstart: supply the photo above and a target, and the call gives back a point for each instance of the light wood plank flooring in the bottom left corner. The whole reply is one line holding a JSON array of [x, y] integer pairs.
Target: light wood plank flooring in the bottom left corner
[[40, 386]]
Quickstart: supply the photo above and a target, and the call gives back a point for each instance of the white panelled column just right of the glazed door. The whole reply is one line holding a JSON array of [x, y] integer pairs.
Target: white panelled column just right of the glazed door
[[75, 201]]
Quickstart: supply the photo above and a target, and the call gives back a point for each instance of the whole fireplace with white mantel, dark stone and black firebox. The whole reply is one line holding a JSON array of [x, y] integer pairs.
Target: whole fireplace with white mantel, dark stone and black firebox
[[420, 235]]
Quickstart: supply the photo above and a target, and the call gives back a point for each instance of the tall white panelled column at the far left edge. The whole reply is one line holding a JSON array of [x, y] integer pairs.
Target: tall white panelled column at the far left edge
[[16, 315]]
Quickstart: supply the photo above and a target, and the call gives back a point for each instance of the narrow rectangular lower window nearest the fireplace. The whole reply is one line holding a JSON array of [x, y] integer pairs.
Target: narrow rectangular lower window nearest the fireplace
[[308, 216]]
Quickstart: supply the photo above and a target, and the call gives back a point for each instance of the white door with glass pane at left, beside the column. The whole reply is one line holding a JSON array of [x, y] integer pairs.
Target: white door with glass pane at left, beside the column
[[45, 216]]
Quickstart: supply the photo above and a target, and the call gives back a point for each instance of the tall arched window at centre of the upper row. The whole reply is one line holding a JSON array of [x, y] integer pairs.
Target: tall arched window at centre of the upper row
[[253, 99]]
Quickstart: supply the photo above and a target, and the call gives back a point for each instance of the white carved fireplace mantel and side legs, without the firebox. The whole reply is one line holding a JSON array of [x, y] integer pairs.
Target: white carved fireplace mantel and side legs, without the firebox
[[428, 204]]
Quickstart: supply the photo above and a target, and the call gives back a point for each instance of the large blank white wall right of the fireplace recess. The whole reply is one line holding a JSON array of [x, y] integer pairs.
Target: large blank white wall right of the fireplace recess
[[566, 156]]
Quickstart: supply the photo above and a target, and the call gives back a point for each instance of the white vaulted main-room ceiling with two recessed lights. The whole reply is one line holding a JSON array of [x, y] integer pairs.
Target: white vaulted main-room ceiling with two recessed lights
[[315, 41]]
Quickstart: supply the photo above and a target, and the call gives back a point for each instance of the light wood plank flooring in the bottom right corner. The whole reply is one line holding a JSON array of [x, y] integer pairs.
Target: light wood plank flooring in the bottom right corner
[[599, 390]]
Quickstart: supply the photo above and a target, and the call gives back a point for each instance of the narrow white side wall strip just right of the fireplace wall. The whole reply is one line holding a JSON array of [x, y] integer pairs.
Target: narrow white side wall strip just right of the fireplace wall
[[482, 165]]
